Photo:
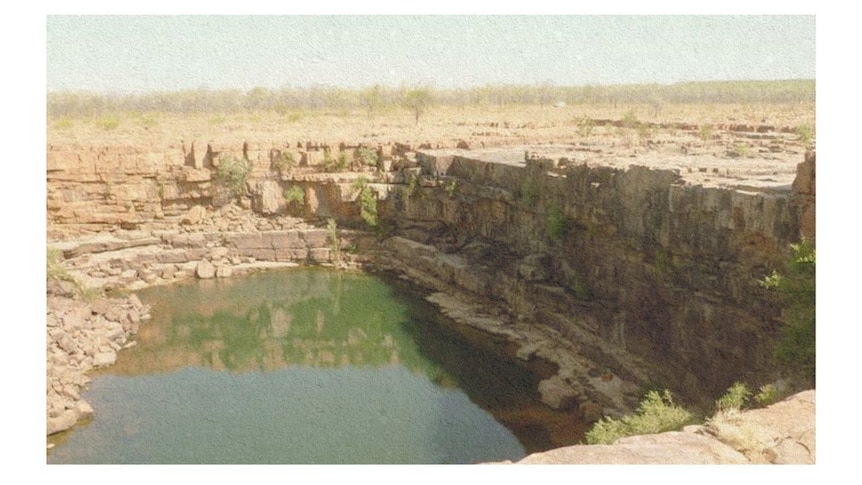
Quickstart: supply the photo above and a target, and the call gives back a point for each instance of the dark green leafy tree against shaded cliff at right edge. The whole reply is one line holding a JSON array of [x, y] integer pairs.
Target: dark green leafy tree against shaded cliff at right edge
[[796, 285]]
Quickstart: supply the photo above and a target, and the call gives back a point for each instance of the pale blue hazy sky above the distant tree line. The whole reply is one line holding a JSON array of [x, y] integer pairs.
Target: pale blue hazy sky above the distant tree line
[[147, 53]]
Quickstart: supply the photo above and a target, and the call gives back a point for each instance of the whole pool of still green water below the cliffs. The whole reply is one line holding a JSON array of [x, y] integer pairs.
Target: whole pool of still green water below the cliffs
[[308, 366]]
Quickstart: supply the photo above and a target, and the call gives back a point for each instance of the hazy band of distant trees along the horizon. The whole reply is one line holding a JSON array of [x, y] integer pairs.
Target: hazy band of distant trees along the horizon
[[416, 98]]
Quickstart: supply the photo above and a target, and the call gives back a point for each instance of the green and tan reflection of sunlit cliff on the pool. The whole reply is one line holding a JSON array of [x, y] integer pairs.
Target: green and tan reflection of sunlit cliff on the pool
[[269, 322]]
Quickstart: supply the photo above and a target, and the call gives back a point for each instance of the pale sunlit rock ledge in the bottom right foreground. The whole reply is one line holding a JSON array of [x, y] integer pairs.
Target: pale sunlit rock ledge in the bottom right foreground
[[783, 433]]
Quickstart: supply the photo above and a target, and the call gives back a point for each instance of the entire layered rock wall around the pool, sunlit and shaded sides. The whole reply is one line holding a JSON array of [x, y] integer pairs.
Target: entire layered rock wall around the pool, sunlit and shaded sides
[[648, 278]]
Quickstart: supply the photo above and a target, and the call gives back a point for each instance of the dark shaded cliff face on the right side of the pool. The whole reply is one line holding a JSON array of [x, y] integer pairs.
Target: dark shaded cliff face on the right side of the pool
[[664, 270]]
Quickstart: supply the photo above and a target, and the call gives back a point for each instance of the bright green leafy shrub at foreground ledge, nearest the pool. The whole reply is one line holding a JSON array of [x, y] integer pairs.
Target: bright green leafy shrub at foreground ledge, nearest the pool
[[657, 413]]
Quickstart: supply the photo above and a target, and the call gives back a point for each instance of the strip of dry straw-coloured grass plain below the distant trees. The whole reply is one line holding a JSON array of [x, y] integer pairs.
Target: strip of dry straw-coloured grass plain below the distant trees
[[445, 125]]
